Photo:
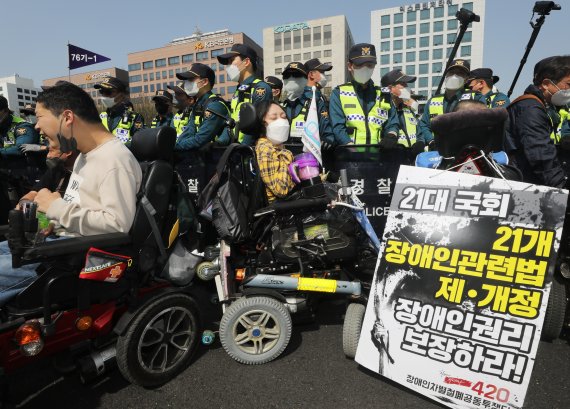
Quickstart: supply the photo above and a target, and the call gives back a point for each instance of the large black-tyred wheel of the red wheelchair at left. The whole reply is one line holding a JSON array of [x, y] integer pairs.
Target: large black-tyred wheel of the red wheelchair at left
[[160, 341]]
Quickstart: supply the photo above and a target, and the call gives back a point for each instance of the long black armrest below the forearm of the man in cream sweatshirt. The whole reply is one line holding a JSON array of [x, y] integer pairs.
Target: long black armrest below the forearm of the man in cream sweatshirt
[[76, 245]]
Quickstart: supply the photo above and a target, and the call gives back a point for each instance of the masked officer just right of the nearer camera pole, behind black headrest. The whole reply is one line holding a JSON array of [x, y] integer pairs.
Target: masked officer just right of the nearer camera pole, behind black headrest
[[455, 76]]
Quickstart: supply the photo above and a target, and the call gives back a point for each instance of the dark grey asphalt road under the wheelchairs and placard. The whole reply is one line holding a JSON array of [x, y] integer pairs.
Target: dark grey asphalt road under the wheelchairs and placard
[[312, 373]]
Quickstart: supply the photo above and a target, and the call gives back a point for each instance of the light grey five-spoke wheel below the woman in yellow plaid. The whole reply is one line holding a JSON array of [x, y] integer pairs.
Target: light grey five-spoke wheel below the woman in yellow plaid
[[255, 330]]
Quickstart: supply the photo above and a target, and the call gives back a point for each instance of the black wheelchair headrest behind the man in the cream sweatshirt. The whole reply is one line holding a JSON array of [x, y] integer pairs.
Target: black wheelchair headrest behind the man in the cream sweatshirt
[[153, 144]]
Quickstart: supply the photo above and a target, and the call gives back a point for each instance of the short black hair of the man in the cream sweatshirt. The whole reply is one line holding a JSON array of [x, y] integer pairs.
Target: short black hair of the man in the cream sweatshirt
[[69, 96]]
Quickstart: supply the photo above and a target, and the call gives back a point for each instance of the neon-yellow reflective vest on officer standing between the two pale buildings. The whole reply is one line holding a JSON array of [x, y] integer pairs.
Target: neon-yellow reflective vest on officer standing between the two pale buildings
[[363, 124]]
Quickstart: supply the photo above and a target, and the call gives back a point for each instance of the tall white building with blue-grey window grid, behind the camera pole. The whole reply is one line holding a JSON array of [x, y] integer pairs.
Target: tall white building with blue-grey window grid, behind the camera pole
[[418, 39]]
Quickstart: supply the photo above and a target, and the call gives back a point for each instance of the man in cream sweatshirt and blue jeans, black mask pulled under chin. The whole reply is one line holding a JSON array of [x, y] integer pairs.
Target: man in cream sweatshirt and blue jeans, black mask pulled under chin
[[101, 194]]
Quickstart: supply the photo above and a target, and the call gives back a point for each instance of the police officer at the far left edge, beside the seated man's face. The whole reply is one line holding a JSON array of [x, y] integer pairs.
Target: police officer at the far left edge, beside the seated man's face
[[14, 132]]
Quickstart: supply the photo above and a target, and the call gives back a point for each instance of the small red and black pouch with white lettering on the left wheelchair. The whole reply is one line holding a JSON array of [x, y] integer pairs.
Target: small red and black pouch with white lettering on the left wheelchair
[[104, 266]]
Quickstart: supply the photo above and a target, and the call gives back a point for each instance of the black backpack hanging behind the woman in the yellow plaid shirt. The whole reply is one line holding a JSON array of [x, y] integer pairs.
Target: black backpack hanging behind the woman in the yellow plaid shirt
[[233, 194]]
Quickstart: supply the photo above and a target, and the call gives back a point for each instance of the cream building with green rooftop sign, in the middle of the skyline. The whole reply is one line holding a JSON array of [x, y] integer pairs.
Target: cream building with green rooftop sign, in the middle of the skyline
[[327, 39]]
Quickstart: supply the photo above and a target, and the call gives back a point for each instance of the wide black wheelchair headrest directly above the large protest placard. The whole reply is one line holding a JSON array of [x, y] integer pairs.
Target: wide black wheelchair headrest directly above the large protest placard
[[482, 128]]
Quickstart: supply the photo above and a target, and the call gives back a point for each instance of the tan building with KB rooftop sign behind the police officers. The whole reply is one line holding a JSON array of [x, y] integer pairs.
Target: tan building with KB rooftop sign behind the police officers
[[154, 69]]
